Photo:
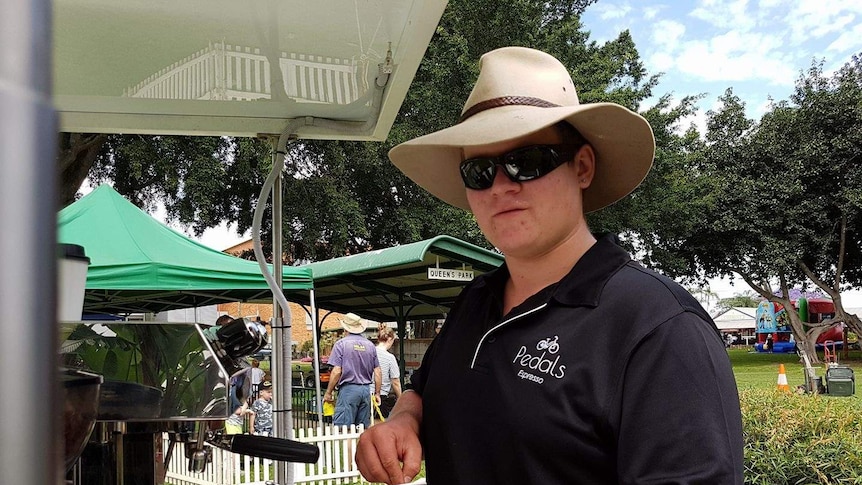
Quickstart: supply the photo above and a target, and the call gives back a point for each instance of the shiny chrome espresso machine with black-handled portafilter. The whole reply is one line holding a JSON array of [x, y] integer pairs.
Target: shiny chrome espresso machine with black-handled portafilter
[[129, 384]]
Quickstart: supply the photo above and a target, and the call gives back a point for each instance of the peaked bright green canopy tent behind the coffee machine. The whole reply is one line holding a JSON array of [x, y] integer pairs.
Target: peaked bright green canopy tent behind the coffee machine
[[137, 264]]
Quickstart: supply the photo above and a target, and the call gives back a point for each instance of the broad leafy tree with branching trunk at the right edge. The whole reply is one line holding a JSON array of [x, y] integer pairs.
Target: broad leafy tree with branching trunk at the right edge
[[776, 202]]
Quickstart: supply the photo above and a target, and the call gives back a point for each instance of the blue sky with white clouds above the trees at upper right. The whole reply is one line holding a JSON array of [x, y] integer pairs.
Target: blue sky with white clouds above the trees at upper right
[[758, 48]]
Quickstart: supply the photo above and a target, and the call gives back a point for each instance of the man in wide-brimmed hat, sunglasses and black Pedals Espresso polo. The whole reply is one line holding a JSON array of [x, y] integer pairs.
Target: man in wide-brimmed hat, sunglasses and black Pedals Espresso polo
[[571, 363]]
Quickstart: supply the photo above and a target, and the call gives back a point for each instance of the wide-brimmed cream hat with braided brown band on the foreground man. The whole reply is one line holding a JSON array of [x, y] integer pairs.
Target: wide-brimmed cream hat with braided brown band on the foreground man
[[521, 91]]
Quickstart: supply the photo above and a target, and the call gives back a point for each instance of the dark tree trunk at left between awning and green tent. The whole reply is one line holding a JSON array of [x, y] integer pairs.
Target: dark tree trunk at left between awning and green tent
[[76, 155]]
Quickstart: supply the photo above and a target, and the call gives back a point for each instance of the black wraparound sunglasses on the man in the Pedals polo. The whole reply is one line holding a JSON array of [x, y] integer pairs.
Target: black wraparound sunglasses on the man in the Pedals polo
[[520, 165]]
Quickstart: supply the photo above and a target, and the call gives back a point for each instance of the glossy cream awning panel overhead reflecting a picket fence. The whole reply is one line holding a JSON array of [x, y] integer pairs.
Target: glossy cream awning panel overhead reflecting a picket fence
[[227, 67]]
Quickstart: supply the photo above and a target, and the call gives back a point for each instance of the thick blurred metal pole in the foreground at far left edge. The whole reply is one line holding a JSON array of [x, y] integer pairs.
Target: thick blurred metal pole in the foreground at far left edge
[[32, 436]]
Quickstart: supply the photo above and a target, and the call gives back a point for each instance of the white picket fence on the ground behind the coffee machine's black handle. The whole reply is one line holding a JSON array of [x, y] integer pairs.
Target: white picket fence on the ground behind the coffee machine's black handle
[[336, 464]]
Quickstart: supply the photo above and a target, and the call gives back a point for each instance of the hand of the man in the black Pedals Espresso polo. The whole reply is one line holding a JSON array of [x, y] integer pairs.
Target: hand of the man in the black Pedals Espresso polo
[[390, 452]]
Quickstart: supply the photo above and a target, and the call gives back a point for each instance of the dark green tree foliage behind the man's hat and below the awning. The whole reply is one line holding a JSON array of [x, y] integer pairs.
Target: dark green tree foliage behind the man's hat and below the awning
[[345, 197]]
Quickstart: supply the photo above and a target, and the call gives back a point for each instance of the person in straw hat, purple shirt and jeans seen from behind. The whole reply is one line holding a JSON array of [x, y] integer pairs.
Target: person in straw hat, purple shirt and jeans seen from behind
[[355, 368]]
